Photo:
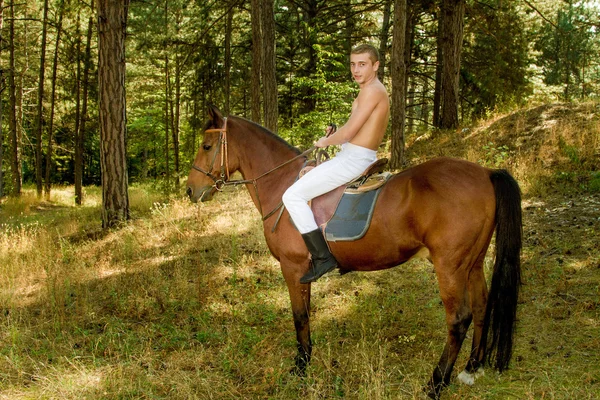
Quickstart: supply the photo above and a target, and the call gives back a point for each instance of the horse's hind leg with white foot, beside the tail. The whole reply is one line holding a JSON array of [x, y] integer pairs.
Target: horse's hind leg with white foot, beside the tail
[[478, 297]]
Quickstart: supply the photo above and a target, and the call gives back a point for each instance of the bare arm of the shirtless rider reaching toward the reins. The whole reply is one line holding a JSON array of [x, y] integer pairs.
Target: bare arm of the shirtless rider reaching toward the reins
[[365, 103]]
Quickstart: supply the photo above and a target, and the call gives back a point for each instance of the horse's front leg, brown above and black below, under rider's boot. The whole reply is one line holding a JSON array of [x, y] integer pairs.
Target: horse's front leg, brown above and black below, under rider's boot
[[300, 299]]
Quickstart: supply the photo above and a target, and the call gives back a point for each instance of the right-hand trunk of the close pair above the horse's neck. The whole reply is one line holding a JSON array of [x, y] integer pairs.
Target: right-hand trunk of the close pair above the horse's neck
[[269, 77]]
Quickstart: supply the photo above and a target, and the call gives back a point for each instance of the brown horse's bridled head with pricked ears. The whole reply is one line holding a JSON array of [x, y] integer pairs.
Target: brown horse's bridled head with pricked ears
[[210, 169]]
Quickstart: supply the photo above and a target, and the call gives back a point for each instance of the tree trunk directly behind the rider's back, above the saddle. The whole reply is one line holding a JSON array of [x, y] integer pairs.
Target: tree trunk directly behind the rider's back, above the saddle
[[398, 74]]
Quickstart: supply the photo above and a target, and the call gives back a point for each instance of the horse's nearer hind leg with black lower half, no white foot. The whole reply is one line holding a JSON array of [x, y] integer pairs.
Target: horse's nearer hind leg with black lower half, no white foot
[[453, 289]]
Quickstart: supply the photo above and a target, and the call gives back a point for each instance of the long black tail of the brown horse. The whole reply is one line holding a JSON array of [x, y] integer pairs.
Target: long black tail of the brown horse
[[501, 308]]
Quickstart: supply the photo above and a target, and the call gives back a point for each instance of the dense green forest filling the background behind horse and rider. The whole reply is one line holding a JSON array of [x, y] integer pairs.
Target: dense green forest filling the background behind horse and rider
[[182, 56]]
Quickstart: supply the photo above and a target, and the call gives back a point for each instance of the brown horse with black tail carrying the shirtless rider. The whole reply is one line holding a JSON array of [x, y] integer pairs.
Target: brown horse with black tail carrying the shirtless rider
[[444, 209]]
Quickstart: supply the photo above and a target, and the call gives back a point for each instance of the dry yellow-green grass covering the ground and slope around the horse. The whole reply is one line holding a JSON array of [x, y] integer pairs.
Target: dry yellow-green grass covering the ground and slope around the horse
[[185, 301]]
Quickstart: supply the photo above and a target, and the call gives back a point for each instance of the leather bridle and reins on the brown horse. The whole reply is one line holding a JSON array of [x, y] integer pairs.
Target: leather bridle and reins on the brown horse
[[223, 179]]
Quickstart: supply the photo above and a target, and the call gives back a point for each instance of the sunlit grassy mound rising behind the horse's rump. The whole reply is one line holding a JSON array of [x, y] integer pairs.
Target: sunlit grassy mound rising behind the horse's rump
[[540, 145]]
